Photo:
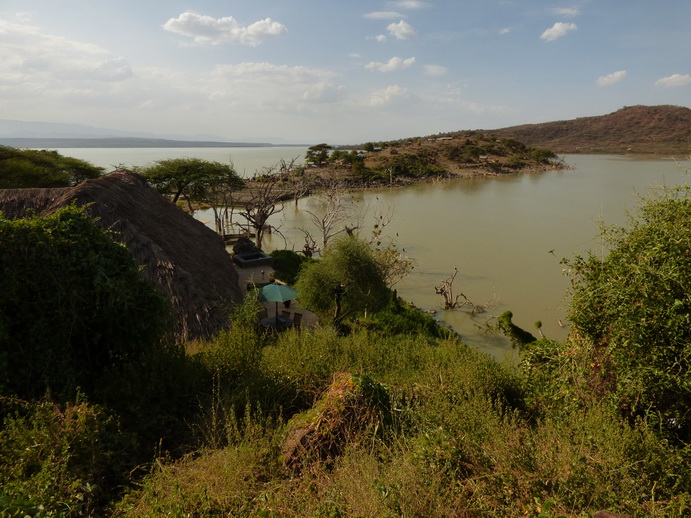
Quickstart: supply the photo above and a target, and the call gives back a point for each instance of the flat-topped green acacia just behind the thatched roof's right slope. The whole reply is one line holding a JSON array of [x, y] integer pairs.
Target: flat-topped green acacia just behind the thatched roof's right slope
[[192, 178]]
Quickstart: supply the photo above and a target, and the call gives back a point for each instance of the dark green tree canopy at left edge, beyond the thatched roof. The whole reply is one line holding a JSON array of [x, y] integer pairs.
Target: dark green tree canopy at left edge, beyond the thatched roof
[[26, 168]]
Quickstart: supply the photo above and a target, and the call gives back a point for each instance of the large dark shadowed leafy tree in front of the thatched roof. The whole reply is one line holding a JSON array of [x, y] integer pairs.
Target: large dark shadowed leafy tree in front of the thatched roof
[[72, 304]]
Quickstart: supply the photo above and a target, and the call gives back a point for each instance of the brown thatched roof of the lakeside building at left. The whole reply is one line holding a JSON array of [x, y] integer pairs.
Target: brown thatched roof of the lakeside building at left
[[181, 257]]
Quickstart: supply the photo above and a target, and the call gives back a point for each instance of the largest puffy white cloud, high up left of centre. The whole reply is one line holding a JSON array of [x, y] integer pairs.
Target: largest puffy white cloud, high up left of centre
[[205, 30]]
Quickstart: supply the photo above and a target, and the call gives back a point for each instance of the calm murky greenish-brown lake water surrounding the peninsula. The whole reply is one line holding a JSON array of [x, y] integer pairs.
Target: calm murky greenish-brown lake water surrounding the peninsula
[[506, 235]]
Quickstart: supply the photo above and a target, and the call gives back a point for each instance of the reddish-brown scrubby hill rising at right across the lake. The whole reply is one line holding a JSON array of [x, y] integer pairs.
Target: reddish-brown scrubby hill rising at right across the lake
[[658, 130]]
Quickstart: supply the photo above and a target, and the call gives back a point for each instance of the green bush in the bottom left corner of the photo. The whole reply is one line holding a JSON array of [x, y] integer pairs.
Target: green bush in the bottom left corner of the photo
[[59, 460]]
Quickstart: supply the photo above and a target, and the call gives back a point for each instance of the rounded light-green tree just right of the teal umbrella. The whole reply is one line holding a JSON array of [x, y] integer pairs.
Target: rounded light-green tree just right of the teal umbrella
[[347, 281]]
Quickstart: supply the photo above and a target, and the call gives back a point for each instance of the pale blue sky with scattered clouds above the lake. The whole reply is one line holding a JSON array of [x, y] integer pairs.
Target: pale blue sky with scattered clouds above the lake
[[336, 71]]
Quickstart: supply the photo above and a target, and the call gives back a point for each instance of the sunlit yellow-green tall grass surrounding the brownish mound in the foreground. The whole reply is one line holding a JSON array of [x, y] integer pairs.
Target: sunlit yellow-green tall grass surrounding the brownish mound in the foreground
[[464, 440]]
